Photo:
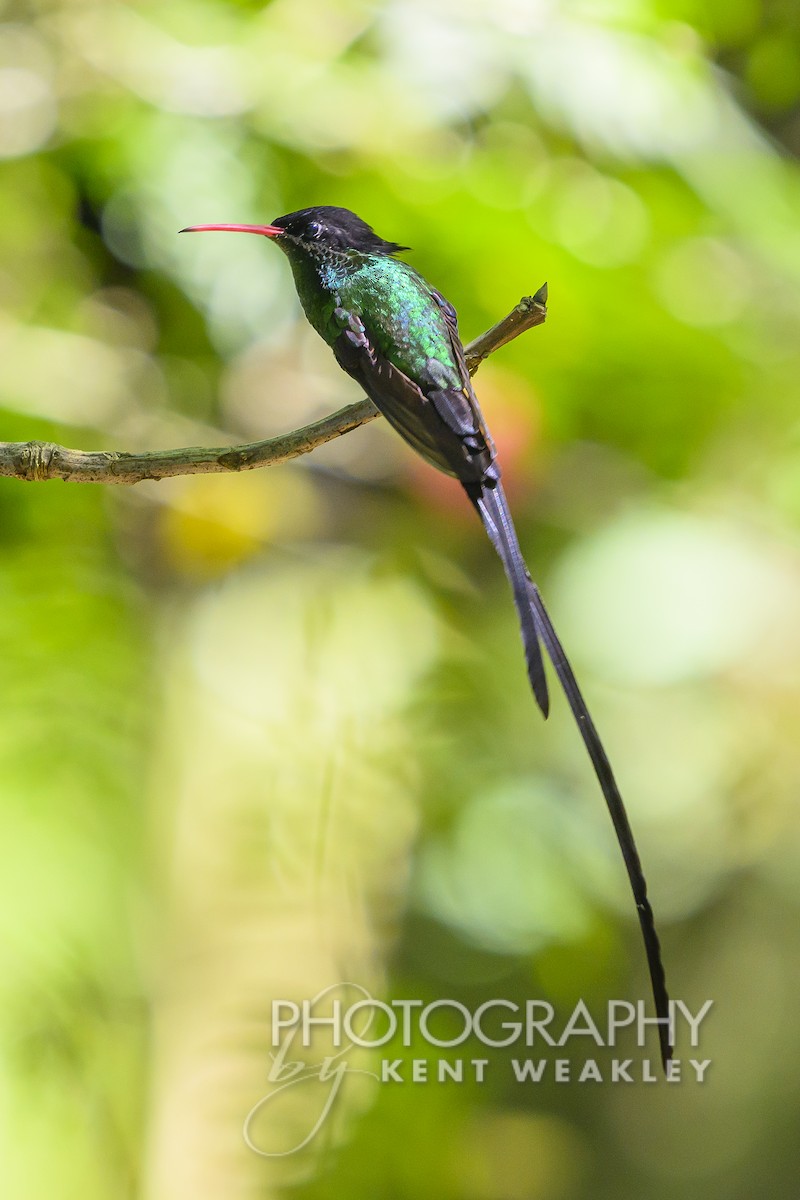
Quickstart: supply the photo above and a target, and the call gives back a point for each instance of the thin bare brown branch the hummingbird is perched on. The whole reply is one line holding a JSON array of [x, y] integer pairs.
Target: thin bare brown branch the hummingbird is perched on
[[46, 460]]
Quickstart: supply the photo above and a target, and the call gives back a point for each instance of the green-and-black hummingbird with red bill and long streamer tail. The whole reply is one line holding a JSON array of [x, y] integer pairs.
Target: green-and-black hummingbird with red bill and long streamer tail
[[398, 337]]
